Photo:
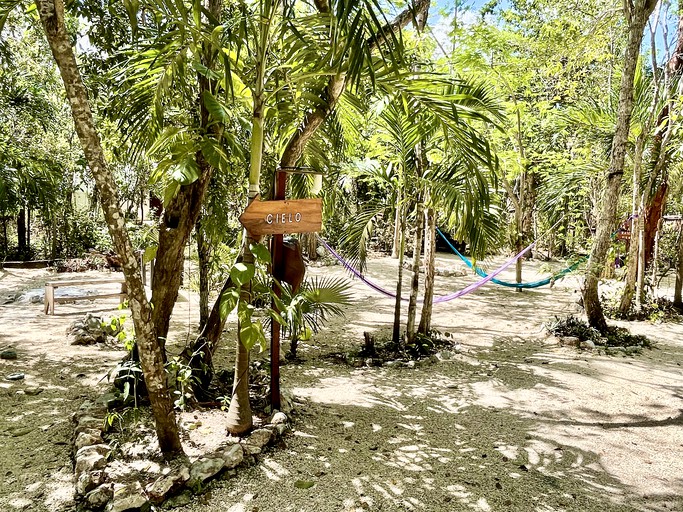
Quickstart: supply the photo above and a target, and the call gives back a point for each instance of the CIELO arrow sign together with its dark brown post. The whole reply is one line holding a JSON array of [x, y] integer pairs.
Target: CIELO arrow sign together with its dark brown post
[[277, 218]]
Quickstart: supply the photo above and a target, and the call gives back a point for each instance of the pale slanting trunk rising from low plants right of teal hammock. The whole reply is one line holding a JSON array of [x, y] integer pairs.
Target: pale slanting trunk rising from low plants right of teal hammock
[[636, 16]]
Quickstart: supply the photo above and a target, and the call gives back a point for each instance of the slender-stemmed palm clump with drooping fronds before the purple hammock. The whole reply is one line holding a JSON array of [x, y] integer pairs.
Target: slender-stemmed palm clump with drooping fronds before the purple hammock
[[424, 116]]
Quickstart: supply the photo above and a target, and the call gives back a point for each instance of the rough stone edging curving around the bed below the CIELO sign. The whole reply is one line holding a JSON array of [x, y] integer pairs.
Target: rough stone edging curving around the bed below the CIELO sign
[[96, 491]]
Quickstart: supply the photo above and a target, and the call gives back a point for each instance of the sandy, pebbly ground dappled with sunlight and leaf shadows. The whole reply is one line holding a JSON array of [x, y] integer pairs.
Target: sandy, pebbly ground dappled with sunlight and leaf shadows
[[511, 422]]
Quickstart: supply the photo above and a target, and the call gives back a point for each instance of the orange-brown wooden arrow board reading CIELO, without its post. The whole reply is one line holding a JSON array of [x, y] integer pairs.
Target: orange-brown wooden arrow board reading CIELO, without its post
[[281, 217]]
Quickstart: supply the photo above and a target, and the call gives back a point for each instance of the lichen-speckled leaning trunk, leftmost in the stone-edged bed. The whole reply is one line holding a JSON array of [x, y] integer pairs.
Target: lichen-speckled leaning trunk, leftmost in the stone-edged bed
[[151, 358]]
